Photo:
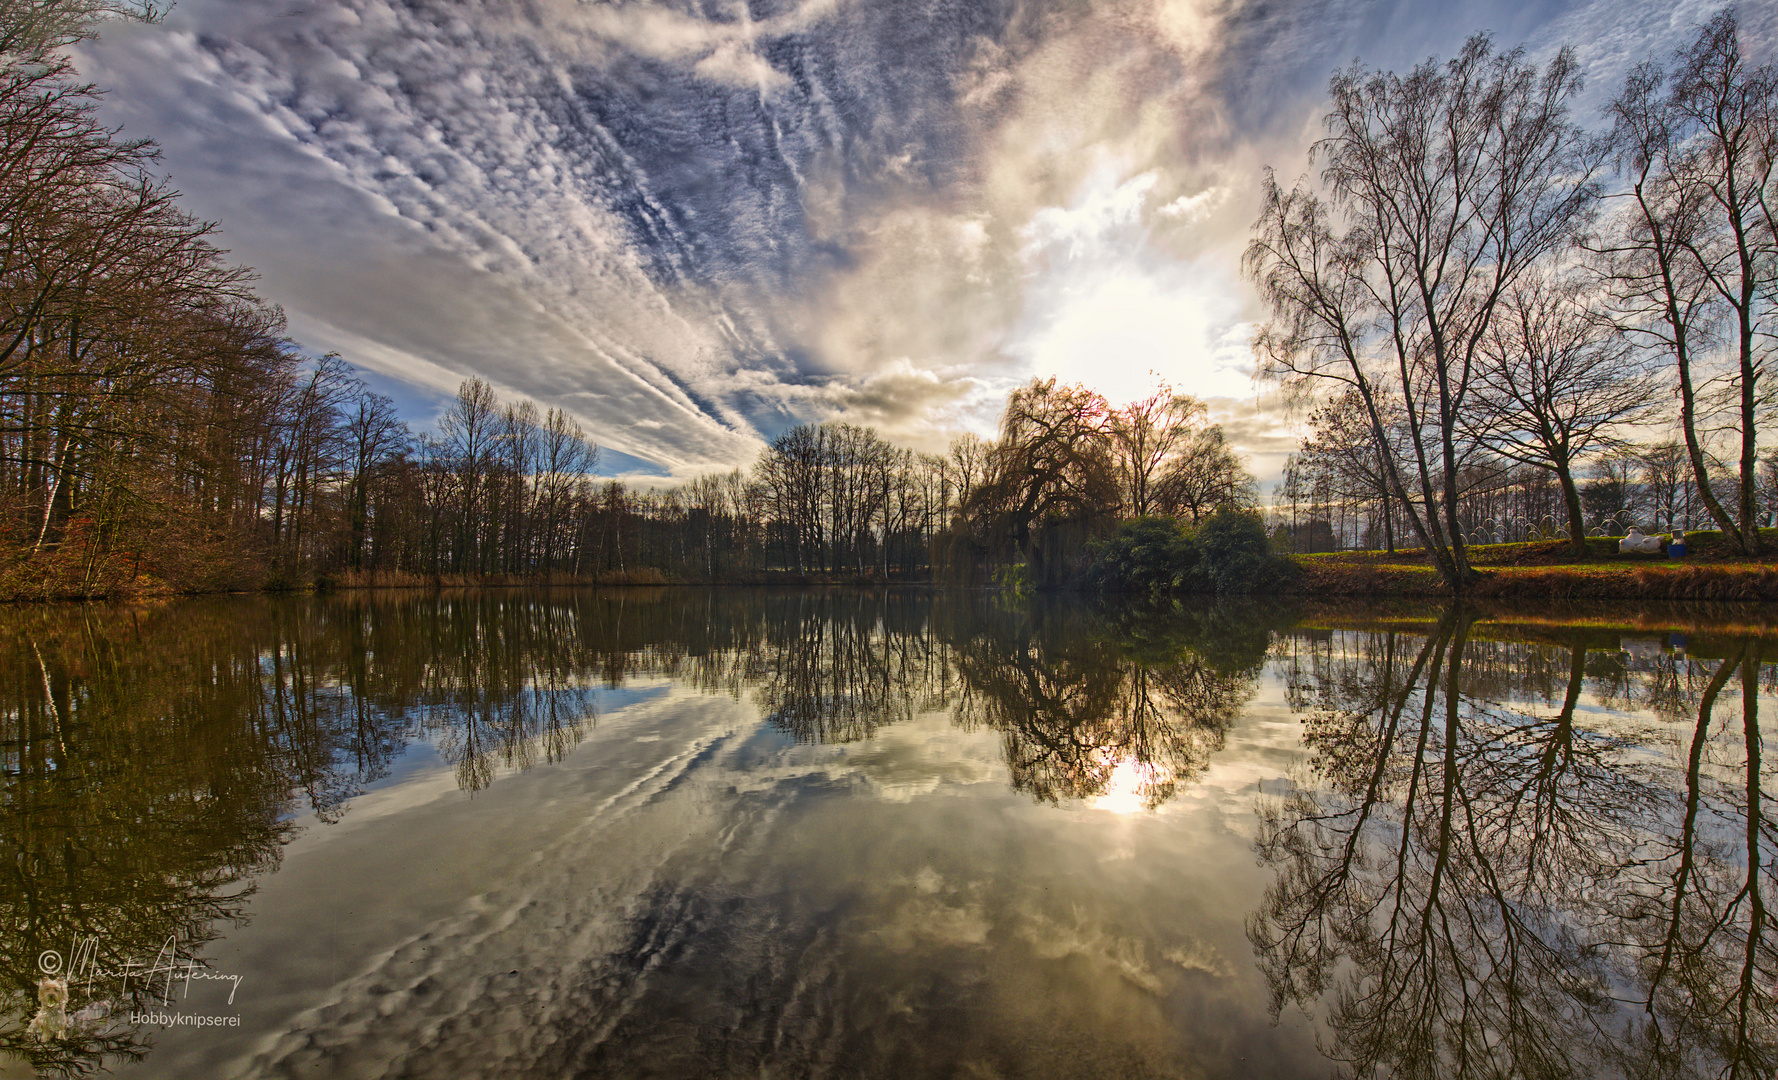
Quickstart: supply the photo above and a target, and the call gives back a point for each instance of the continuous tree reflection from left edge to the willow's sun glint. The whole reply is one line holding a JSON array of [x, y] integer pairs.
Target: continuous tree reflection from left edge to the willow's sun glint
[[157, 759]]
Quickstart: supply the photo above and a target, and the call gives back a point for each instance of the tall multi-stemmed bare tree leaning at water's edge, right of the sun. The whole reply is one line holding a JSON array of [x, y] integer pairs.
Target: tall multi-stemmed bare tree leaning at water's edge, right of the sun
[[1443, 189]]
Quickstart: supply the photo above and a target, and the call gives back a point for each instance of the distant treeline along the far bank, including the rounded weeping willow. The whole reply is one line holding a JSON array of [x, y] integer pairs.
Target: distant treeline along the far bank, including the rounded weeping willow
[[502, 490]]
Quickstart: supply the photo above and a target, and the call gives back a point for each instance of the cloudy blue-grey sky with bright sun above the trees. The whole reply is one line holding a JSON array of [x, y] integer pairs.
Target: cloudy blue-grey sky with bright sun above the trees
[[694, 225]]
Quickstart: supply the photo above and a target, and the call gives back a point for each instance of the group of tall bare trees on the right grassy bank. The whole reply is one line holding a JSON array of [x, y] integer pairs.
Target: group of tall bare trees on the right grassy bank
[[1507, 325]]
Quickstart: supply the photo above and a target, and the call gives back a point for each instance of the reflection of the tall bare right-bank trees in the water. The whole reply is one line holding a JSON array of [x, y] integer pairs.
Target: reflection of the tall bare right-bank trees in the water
[[1486, 874]]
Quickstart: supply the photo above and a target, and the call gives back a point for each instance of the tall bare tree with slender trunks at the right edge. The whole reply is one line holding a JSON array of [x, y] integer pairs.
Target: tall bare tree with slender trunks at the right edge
[[1692, 255]]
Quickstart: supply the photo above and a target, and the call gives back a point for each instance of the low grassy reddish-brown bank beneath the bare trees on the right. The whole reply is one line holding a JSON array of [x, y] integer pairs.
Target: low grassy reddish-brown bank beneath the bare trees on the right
[[1550, 570]]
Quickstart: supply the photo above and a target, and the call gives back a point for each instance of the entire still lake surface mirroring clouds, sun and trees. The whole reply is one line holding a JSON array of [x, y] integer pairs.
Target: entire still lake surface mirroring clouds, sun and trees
[[732, 834]]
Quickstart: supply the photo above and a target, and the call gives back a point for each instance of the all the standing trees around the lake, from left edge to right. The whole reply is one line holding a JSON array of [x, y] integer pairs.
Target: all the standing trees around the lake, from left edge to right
[[1491, 321]]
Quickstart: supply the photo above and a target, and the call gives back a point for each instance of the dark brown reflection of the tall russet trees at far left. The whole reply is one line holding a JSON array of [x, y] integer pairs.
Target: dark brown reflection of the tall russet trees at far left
[[140, 803]]
